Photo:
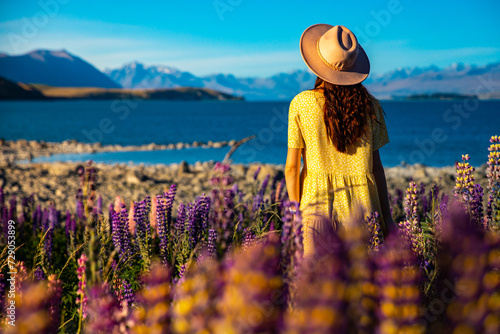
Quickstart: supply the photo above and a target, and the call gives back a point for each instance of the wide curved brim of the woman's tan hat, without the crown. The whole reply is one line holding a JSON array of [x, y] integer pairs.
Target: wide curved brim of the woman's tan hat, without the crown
[[308, 50]]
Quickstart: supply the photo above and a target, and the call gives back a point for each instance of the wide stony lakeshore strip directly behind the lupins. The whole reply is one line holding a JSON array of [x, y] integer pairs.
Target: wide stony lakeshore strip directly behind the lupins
[[59, 182]]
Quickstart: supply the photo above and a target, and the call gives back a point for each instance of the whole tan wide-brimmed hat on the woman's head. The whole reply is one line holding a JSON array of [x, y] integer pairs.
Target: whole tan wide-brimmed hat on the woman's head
[[334, 54]]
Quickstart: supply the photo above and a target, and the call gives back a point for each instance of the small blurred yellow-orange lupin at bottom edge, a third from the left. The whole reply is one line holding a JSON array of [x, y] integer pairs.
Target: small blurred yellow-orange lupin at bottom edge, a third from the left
[[154, 314]]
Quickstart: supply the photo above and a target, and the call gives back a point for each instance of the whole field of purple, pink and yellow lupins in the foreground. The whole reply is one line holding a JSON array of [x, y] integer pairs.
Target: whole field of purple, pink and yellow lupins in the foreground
[[231, 262]]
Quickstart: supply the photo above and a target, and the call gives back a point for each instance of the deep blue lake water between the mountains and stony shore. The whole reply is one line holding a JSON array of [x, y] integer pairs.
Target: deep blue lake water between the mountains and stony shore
[[434, 133]]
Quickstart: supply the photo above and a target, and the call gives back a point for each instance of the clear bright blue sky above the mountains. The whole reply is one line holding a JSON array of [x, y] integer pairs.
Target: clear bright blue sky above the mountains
[[250, 37]]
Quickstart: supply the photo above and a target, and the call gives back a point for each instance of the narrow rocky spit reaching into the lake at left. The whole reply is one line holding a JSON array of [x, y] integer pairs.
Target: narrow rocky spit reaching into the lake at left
[[13, 150]]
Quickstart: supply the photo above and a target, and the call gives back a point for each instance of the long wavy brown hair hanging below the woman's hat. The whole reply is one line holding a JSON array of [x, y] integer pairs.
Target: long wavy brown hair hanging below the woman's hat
[[347, 110]]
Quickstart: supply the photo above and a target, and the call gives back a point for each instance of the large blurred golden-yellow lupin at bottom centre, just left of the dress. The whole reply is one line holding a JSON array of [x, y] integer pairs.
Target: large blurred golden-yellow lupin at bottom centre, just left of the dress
[[253, 299]]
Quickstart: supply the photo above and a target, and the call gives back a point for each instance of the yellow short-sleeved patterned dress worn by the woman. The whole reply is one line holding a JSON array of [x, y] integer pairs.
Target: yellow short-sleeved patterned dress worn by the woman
[[336, 183]]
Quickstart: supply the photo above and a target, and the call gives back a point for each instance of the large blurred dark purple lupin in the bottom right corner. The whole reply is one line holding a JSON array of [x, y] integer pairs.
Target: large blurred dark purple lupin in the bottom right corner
[[469, 263]]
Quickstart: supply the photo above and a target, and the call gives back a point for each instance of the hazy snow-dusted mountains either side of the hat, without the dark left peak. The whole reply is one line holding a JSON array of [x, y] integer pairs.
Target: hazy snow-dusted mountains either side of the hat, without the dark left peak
[[456, 79]]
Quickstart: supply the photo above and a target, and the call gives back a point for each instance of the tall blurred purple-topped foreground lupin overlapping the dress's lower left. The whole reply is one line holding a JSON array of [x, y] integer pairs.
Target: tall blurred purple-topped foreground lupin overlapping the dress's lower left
[[320, 292]]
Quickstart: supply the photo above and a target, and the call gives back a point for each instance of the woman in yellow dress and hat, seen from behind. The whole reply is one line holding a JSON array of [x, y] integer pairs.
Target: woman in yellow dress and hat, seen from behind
[[337, 128]]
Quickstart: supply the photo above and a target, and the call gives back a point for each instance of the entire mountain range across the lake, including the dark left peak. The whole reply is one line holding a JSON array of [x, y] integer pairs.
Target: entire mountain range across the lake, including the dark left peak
[[63, 69]]
